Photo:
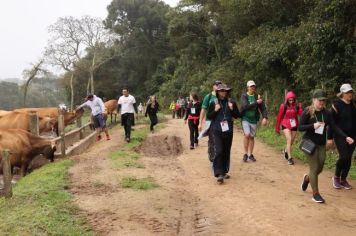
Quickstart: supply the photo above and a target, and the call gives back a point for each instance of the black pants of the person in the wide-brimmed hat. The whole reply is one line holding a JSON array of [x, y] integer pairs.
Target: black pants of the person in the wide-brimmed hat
[[222, 149]]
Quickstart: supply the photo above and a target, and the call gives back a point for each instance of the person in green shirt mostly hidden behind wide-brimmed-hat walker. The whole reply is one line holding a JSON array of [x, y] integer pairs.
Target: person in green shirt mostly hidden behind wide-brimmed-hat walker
[[203, 119]]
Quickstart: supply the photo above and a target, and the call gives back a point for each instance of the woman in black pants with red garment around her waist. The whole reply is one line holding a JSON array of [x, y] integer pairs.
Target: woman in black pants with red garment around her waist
[[192, 114]]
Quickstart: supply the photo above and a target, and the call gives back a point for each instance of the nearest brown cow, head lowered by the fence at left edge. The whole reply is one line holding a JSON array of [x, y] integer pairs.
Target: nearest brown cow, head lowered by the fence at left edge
[[24, 146]]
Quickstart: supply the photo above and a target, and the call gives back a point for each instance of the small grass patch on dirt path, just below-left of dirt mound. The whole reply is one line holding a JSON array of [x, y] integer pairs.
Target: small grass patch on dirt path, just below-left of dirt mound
[[125, 159]]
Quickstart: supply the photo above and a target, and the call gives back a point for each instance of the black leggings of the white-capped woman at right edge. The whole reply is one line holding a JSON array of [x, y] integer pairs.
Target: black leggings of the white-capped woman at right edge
[[345, 150]]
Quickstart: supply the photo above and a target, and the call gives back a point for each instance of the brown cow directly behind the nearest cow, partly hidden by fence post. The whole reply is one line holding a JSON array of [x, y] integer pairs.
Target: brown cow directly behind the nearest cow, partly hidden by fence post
[[20, 120]]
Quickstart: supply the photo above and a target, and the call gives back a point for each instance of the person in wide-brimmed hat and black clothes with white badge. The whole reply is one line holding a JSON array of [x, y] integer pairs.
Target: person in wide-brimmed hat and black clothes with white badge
[[221, 113]]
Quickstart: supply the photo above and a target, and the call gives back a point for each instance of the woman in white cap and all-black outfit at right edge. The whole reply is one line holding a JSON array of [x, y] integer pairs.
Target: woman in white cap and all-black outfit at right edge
[[344, 113]]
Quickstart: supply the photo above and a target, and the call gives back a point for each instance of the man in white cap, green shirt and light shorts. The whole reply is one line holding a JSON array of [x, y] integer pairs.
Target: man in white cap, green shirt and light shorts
[[251, 107]]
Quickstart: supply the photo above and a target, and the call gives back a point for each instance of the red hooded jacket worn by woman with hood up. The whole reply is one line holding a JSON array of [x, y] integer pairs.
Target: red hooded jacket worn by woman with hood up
[[288, 114]]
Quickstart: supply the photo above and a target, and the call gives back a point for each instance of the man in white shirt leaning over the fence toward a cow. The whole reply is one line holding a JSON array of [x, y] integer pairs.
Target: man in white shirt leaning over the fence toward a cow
[[98, 113]]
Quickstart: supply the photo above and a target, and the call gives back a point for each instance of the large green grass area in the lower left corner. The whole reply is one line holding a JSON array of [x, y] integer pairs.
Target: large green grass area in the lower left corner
[[42, 206]]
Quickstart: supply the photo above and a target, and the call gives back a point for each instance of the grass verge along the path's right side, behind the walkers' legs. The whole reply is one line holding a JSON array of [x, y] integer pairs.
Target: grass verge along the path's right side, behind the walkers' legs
[[268, 136]]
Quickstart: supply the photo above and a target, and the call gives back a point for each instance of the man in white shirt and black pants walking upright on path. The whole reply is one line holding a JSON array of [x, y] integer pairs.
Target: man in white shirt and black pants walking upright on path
[[127, 107]]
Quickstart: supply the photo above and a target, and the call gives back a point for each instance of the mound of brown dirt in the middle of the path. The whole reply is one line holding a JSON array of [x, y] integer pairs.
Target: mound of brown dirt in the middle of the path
[[161, 146]]
